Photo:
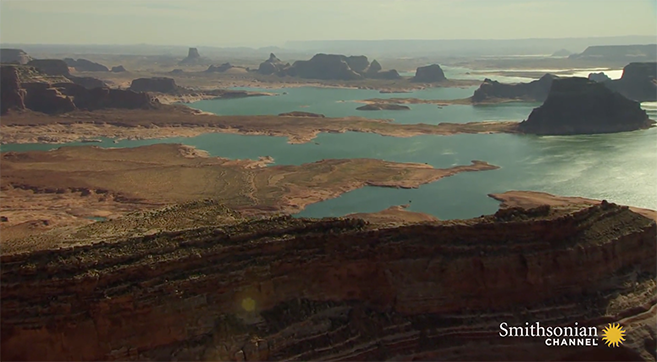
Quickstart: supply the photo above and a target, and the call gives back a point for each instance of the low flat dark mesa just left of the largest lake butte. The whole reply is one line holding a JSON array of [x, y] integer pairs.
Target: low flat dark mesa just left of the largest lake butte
[[536, 91]]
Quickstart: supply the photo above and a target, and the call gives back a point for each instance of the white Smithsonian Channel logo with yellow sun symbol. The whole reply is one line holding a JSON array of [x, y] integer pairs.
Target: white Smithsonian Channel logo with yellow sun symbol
[[613, 335]]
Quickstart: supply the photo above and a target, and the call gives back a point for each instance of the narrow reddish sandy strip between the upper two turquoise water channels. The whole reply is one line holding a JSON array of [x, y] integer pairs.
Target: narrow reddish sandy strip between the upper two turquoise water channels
[[134, 125]]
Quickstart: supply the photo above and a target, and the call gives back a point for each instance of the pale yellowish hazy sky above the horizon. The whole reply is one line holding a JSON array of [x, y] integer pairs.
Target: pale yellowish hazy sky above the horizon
[[273, 22]]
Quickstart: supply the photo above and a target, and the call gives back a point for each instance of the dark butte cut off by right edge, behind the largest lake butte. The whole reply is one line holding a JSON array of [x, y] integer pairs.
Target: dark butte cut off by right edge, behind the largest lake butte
[[639, 82]]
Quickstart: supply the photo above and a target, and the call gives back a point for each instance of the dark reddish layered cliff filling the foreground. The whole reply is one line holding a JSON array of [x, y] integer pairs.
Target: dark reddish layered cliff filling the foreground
[[288, 289]]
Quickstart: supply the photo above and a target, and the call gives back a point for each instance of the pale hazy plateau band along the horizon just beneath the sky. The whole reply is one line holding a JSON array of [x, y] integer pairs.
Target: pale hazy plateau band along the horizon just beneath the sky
[[372, 48]]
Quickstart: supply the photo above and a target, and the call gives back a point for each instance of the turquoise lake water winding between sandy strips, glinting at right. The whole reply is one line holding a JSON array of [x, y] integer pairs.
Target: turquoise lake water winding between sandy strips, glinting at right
[[617, 167]]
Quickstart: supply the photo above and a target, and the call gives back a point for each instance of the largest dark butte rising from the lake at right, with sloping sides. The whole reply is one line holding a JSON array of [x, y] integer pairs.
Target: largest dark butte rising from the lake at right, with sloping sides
[[581, 106]]
